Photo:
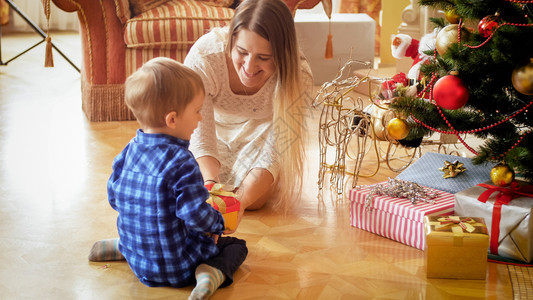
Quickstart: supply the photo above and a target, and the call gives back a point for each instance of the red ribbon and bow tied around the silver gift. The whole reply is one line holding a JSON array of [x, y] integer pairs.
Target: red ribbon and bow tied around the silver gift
[[504, 197]]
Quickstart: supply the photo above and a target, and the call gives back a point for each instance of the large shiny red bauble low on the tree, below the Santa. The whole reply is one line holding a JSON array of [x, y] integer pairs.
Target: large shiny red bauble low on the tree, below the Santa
[[450, 92]]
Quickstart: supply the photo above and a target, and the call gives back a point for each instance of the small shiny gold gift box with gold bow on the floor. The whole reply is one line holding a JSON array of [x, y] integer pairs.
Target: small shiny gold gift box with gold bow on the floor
[[456, 247]]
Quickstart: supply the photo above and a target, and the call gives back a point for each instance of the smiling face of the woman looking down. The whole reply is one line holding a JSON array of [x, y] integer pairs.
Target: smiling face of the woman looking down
[[252, 59]]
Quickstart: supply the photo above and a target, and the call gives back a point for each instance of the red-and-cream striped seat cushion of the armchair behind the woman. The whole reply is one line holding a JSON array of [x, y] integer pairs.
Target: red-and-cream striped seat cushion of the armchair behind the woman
[[174, 24]]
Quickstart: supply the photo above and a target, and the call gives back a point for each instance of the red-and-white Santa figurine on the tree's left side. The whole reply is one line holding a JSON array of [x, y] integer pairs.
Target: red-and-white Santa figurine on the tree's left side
[[404, 45]]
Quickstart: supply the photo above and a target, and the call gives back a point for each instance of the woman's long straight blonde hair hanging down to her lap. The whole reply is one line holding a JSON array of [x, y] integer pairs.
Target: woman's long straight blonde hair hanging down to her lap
[[273, 21]]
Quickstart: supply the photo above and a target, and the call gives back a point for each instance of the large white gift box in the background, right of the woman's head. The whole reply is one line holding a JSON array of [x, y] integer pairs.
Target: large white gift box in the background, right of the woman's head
[[353, 38]]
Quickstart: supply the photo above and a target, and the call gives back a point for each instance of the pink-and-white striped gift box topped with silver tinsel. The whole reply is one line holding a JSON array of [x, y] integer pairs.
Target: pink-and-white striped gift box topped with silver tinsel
[[397, 218]]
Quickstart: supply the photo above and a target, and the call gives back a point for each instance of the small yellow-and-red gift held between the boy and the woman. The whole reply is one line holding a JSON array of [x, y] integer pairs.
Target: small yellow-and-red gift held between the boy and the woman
[[226, 203]]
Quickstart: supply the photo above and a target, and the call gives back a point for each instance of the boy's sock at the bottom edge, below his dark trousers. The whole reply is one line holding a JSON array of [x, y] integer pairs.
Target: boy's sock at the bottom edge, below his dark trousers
[[208, 279]]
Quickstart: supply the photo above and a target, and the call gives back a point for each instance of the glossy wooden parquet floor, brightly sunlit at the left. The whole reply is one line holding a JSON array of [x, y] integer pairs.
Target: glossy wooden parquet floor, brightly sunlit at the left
[[54, 165]]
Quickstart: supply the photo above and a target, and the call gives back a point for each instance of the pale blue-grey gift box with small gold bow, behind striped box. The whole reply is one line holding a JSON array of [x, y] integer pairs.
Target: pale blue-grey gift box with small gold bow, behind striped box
[[425, 171]]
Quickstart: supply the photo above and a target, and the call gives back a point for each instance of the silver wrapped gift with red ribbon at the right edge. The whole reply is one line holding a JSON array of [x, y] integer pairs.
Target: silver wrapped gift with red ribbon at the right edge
[[515, 238]]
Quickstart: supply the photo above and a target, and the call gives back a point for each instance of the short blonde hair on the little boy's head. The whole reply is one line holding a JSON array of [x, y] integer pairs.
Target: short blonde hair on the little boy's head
[[160, 86]]
